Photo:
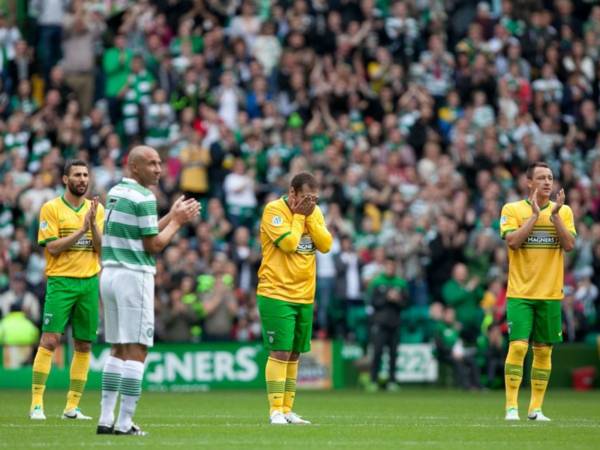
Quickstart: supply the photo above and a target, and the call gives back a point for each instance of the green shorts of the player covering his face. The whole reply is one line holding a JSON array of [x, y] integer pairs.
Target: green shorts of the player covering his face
[[286, 326]]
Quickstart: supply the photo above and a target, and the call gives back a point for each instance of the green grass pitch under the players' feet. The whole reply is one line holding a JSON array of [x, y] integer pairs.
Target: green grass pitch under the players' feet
[[418, 418]]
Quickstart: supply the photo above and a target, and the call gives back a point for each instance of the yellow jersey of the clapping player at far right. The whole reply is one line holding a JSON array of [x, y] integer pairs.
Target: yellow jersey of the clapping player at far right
[[536, 269]]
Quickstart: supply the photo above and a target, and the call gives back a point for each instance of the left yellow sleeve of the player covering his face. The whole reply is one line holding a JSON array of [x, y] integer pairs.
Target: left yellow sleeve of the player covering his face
[[284, 234]]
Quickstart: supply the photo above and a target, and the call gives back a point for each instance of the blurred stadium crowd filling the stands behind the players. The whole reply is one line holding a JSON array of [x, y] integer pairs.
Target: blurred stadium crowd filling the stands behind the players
[[418, 118]]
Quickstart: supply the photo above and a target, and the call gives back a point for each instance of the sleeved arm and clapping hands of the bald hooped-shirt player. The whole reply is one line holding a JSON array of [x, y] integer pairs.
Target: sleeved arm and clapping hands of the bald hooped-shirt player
[[155, 240]]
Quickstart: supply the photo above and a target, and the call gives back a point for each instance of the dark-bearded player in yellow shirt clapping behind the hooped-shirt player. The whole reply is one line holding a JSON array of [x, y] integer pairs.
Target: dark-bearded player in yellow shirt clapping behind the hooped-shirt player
[[71, 231]]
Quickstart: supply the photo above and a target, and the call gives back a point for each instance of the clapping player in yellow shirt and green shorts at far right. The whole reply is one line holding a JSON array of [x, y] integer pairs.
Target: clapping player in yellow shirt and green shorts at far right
[[537, 232]]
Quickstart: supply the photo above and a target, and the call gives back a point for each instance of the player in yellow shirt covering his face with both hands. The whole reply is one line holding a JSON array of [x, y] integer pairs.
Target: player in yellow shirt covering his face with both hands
[[292, 230]]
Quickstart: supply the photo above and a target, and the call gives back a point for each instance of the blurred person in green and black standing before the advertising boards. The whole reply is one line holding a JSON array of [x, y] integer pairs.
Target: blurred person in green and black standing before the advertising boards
[[387, 294]]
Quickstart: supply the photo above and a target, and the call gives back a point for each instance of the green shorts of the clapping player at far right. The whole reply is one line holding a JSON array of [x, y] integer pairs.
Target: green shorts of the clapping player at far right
[[539, 320]]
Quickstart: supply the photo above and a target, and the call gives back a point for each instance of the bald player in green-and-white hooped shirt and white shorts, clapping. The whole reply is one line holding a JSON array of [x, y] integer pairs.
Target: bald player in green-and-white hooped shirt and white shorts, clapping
[[132, 235]]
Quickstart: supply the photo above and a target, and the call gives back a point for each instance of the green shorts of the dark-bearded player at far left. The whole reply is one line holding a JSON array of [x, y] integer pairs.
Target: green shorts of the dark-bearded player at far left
[[74, 300]]
